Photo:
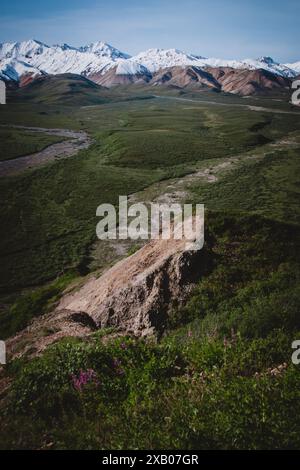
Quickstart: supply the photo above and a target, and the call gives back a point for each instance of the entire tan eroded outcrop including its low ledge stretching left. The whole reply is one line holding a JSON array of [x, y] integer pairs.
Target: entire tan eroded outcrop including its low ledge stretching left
[[135, 296]]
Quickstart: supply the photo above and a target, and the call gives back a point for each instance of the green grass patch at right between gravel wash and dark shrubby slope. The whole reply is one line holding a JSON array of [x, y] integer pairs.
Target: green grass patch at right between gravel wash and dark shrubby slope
[[268, 186]]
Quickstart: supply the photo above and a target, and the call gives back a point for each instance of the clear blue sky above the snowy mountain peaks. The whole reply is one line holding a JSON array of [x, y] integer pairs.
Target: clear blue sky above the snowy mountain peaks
[[214, 28]]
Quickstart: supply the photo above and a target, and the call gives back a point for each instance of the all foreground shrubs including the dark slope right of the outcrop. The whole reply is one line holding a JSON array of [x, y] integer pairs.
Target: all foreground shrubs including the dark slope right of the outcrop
[[221, 377]]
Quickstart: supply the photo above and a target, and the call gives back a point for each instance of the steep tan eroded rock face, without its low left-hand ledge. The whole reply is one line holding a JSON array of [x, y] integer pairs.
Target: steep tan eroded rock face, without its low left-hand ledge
[[137, 294]]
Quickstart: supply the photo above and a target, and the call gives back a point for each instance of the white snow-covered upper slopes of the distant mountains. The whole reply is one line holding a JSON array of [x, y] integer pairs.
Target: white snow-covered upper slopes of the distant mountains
[[32, 58]]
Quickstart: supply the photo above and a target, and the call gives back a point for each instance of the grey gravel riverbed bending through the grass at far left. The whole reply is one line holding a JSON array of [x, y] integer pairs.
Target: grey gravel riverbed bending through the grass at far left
[[77, 140]]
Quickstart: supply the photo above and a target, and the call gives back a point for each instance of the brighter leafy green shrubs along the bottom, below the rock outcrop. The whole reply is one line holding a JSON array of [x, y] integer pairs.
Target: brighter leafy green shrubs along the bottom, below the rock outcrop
[[212, 395]]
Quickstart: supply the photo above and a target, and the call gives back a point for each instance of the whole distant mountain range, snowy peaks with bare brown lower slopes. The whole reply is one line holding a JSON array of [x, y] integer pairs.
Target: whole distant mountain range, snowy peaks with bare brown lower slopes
[[22, 62]]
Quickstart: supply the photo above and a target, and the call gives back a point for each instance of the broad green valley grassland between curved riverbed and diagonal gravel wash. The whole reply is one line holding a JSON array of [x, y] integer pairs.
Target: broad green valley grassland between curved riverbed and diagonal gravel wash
[[136, 143]]
